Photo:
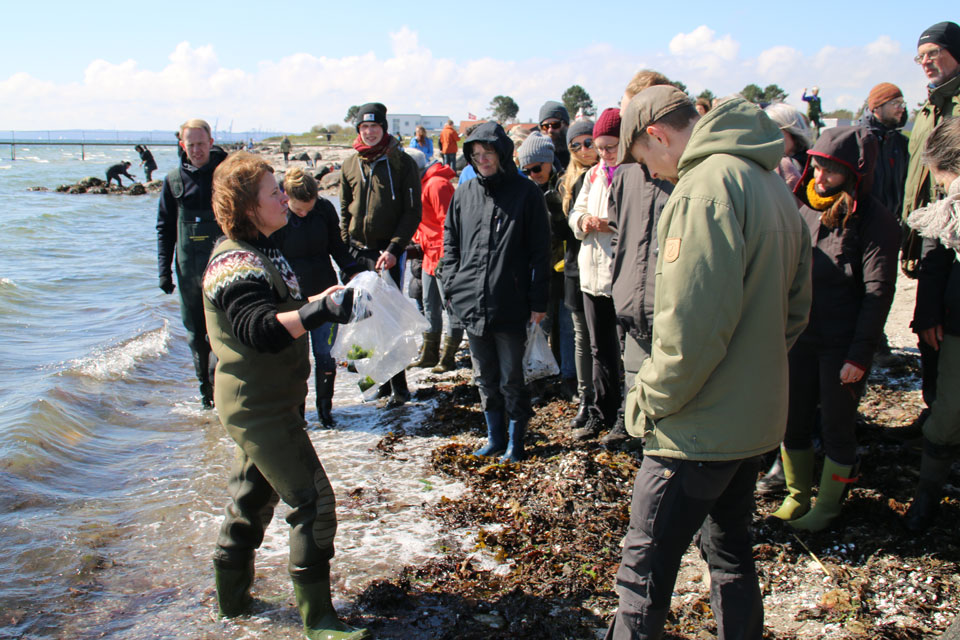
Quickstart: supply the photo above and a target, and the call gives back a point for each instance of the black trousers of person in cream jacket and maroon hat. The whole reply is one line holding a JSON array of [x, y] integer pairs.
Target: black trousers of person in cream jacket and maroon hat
[[604, 329]]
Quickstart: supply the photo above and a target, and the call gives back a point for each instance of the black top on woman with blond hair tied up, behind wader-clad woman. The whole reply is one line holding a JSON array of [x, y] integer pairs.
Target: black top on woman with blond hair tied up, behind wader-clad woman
[[308, 243]]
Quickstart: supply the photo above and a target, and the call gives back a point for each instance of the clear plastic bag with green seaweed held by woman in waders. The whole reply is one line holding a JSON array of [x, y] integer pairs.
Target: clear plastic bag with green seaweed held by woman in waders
[[380, 338]]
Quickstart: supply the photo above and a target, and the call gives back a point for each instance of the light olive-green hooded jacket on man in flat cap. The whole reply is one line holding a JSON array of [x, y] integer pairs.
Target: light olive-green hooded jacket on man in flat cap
[[732, 296]]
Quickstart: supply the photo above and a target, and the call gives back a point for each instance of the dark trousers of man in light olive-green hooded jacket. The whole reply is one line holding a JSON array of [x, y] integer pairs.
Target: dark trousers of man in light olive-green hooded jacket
[[673, 500]]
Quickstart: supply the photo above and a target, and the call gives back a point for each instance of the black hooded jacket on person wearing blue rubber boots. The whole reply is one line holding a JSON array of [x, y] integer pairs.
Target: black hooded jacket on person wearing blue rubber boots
[[496, 266]]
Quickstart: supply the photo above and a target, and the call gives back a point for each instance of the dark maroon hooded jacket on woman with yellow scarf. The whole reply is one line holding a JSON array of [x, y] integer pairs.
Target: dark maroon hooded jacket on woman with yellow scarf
[[854, 268]]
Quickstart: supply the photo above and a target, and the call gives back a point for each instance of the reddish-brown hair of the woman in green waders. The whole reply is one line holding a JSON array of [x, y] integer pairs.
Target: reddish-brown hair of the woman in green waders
[[236, 191]]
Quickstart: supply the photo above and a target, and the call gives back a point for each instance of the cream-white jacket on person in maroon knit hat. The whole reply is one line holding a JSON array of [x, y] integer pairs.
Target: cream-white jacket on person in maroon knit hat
[[596, 254]]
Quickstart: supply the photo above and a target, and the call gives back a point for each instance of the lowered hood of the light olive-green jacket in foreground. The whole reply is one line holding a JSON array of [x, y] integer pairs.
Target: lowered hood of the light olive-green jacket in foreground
[[736, 128]]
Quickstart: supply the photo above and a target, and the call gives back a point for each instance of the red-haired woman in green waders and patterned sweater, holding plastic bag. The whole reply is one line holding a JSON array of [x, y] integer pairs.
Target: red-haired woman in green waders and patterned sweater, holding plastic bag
[[257, 322]]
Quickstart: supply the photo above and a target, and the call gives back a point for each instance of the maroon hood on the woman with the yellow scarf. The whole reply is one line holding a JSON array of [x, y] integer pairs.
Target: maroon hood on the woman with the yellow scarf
[[856, 148]]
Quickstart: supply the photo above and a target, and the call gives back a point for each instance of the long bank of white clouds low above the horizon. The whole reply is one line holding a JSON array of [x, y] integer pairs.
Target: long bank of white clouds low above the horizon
[[297, 91]]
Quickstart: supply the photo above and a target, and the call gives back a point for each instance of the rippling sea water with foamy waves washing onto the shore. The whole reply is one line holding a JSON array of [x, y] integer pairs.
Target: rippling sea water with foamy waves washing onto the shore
[[112, 476]]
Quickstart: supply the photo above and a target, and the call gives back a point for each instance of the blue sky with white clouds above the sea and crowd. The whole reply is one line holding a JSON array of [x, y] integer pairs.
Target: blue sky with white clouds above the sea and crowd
[[289, 66]]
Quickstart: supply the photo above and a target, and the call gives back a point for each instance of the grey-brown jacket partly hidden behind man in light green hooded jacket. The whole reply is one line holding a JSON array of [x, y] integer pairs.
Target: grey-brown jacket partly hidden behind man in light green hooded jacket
[[636, 201]]
